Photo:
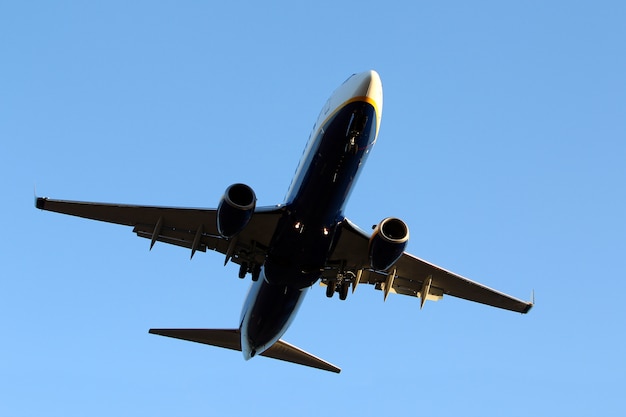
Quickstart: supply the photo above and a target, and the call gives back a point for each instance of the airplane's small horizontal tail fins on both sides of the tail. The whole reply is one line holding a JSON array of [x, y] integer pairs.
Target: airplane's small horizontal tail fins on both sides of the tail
[[231, 339]]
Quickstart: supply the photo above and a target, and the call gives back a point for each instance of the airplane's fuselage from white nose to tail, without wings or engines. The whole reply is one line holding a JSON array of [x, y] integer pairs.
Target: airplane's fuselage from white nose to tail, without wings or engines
[[335, 153]]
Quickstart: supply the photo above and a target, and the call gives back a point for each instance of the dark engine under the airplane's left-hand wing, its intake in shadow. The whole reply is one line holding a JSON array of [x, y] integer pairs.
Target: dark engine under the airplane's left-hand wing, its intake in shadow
[[235, 210]]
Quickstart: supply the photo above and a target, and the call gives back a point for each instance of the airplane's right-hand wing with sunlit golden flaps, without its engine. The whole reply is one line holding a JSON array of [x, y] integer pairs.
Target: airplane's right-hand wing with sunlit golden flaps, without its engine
[[413, 276]]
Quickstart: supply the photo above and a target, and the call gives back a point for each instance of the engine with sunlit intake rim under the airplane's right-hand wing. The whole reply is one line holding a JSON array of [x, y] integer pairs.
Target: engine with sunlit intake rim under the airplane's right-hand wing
[[388, 243]]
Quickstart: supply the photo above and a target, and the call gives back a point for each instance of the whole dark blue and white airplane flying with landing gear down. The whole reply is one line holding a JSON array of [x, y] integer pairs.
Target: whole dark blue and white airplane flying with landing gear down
[[289, 247]]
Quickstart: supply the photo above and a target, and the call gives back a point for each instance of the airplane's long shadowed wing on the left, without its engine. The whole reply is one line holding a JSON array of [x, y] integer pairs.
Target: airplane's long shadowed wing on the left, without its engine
[[192, 228]]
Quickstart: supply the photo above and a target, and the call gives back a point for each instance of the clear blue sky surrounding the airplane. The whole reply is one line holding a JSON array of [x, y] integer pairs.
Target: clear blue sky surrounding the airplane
[[503, 146]]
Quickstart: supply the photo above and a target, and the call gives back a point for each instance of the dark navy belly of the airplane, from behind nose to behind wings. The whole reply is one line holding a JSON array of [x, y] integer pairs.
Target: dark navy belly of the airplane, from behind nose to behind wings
[[304, 235]]
